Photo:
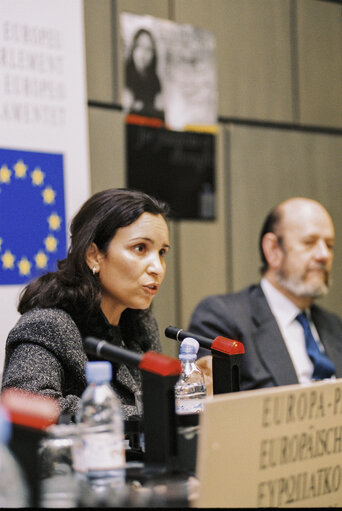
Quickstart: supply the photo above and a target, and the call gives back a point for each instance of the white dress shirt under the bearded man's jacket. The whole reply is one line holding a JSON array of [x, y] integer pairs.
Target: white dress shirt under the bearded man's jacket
[[285, 313]]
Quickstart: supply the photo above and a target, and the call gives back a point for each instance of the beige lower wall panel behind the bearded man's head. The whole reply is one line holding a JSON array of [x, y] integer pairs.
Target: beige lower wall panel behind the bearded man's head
[[268, 166]]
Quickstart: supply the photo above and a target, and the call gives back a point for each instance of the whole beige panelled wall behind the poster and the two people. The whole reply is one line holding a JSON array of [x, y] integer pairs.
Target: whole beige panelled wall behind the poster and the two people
[[280, 131]]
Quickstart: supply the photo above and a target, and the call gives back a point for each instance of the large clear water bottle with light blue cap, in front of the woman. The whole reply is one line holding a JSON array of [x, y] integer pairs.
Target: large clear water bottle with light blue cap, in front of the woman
[[101, 460]]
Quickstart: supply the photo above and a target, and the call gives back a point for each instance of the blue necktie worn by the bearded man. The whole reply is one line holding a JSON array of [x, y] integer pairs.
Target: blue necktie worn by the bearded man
[[323, 367]]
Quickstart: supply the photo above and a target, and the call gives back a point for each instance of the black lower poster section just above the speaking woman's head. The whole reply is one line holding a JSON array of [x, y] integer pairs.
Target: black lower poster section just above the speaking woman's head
[[174, 166]]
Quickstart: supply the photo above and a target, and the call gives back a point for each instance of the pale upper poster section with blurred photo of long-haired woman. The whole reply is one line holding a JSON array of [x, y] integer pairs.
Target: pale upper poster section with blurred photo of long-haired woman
[[169, 71]]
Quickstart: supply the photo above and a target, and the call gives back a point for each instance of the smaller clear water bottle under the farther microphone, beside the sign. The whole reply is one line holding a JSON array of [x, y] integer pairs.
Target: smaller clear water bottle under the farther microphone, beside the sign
[[190, 390]]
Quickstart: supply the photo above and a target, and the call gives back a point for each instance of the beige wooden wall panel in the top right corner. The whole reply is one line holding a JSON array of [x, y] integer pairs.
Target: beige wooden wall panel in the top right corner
[[320, 62]]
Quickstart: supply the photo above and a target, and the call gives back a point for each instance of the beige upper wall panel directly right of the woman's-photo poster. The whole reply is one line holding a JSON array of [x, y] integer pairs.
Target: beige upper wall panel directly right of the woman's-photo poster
[[253, 54]]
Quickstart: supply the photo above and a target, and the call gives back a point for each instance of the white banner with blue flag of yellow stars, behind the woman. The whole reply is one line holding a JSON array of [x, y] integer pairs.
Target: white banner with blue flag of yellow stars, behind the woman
[[44, 174]]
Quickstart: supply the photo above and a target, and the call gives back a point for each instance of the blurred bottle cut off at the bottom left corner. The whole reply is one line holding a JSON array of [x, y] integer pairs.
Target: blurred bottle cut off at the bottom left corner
[[13, 488]]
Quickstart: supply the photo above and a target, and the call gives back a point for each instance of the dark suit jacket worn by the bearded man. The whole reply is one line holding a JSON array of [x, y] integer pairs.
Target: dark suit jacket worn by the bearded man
[[246, 317]]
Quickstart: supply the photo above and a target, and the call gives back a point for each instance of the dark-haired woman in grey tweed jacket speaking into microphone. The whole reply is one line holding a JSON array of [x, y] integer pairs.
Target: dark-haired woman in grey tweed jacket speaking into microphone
[[104, 289]]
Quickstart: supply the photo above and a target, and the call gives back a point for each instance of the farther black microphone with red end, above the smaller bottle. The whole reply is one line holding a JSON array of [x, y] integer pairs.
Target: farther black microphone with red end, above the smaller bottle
[[222, 344]]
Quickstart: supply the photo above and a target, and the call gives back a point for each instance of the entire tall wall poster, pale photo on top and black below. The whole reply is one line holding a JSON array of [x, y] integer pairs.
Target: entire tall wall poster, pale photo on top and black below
[[170, 97]]
